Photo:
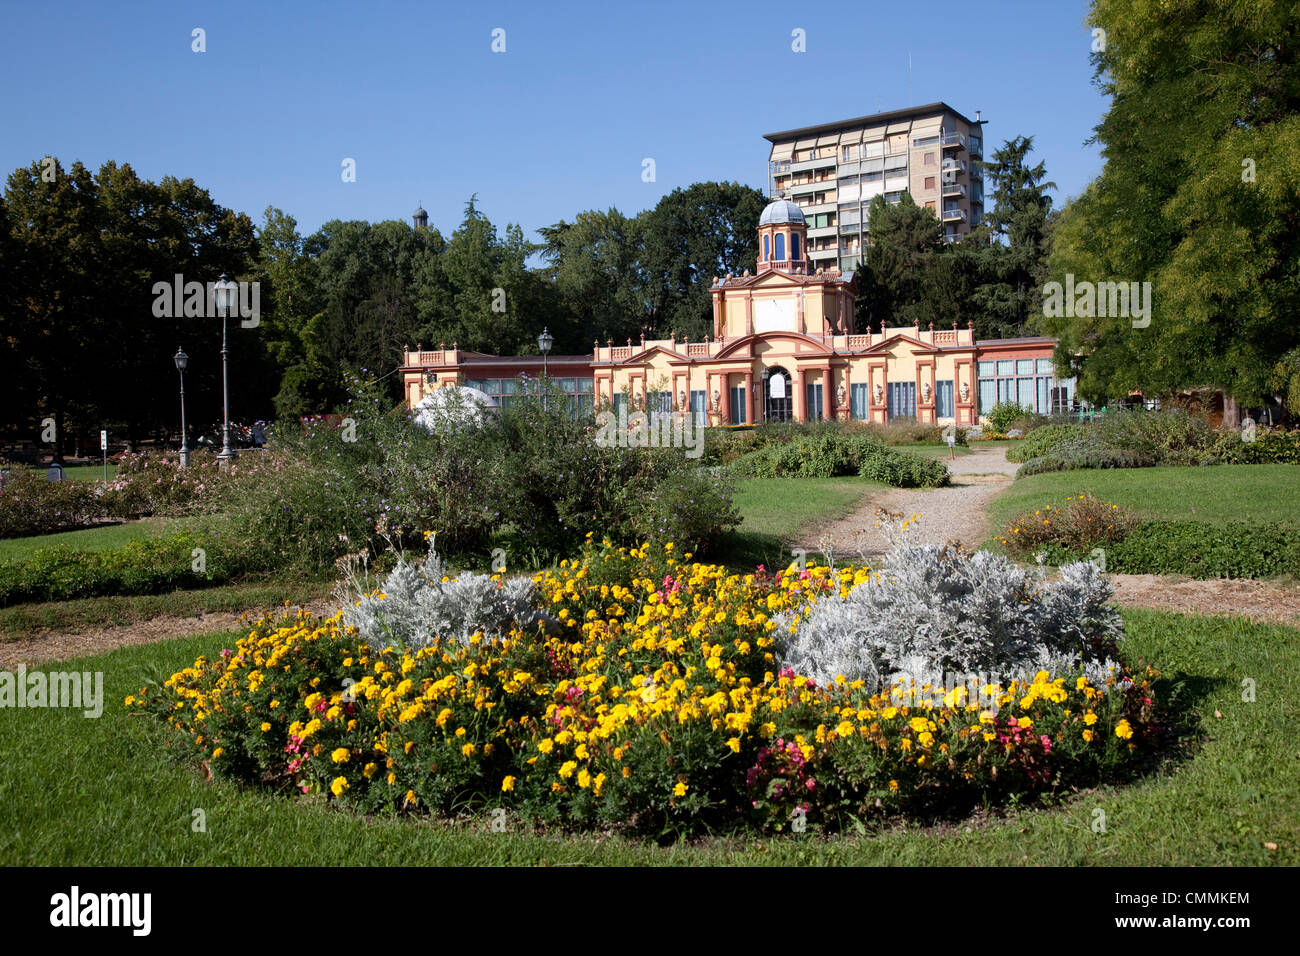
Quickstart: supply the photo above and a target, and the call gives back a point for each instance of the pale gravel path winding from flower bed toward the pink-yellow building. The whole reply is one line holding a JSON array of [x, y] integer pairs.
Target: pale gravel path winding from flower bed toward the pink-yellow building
[[954, 514]]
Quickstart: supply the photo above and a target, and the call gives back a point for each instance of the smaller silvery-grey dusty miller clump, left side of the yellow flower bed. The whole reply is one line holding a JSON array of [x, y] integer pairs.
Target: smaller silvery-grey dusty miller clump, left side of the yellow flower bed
[[419, 607]]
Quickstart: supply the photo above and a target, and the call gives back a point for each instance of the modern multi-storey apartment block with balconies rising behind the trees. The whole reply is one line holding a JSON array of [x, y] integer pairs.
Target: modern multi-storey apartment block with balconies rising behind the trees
[[834, 171]]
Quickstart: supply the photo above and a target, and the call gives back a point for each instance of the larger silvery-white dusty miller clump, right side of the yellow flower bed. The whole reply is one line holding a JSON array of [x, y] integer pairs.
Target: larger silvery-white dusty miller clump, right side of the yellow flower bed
[[934, 612]]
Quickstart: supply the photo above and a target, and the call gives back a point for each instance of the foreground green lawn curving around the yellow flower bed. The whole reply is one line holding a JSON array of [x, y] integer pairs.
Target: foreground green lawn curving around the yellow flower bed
[[93, 793]]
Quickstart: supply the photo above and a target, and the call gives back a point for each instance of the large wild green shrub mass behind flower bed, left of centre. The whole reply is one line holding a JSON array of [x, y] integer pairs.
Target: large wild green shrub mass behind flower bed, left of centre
[[534, 481]]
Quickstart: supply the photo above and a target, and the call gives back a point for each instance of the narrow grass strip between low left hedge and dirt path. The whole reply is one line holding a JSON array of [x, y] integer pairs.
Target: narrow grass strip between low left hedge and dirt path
[[85, 615]]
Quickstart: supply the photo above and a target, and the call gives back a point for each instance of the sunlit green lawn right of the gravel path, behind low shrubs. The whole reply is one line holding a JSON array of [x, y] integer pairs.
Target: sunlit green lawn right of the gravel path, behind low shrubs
[[1223, 494]]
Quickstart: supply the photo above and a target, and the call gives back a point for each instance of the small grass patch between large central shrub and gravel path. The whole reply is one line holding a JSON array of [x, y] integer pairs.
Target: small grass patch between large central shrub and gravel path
[[775, 511]]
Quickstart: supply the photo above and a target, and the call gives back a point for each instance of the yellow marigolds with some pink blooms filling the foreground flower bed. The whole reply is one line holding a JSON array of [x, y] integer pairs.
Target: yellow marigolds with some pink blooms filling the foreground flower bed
[[655, 703]]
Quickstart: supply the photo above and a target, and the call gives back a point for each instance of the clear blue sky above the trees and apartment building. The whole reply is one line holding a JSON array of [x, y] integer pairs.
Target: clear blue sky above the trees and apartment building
[[558, 124]]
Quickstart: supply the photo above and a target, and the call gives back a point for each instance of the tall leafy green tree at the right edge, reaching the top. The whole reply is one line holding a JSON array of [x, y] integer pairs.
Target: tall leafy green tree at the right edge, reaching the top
[[1198, 197]]
